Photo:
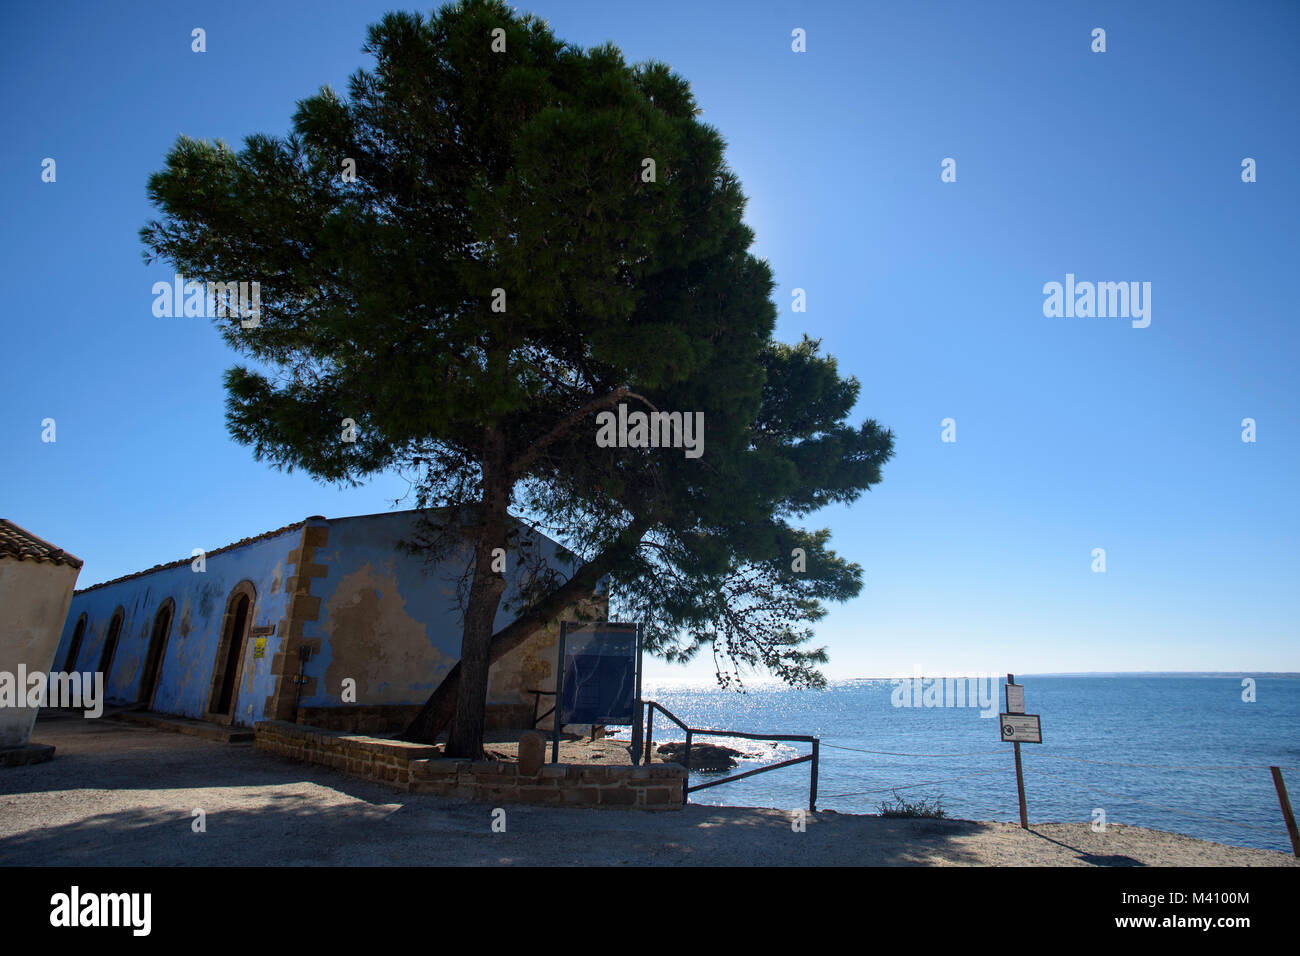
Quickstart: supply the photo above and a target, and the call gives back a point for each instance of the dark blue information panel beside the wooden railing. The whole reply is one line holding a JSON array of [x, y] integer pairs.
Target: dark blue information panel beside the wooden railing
[[600, 674]]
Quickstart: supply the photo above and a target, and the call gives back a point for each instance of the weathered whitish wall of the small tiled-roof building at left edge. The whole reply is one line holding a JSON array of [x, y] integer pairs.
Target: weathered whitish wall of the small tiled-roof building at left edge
[[34, 598]]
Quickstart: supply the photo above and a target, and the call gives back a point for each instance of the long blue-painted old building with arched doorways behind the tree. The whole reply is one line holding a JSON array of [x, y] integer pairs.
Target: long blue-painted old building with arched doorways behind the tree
[[289, 624]]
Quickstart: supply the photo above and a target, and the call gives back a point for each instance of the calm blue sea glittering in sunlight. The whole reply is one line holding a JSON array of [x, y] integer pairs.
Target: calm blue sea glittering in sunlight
[[1181, 752]]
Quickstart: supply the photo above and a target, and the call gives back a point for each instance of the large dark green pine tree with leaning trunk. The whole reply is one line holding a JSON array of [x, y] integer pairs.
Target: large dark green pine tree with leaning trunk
[[491, 241]]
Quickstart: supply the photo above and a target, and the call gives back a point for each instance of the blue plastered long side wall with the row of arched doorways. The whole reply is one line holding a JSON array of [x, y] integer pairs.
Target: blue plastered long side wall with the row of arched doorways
[[185, 674]]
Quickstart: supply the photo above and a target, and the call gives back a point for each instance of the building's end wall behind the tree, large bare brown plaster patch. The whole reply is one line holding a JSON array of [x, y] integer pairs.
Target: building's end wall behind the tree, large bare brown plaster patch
[[395, 626]]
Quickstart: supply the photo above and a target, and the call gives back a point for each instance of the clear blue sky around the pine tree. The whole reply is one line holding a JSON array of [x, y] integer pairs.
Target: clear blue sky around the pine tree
[[1073, 434]]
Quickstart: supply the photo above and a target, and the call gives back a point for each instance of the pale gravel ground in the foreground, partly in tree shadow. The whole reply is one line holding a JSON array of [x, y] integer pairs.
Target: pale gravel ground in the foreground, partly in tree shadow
[[119, 794]]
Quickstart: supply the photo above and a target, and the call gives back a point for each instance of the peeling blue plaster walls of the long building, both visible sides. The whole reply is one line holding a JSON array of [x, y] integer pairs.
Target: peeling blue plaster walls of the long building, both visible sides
[[385, 621]]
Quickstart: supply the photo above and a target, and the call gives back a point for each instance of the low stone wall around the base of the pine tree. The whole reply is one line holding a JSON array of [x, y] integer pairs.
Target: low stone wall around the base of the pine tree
[[418, 769]]
